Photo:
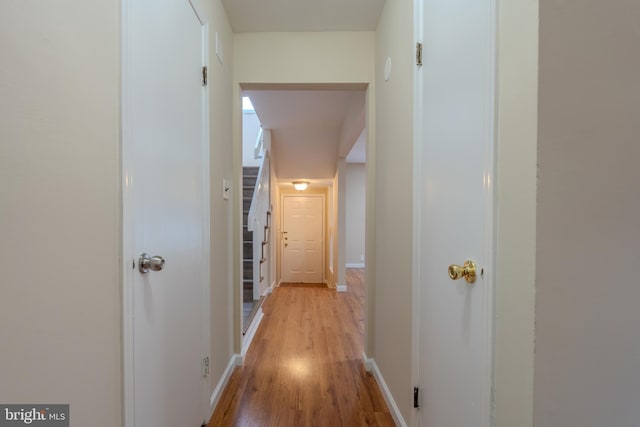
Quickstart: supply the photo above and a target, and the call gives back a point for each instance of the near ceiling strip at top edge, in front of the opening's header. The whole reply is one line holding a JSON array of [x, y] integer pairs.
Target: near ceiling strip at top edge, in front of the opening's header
[[303, 15]]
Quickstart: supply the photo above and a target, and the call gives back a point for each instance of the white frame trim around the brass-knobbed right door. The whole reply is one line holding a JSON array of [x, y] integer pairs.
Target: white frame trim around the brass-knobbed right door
[[490, 217]]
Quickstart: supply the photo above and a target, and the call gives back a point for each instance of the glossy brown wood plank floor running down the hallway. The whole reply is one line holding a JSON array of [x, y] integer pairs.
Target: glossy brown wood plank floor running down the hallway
[[304, 367]]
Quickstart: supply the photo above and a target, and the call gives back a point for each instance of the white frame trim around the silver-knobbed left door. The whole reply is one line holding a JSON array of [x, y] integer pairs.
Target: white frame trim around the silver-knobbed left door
[[128, 255]]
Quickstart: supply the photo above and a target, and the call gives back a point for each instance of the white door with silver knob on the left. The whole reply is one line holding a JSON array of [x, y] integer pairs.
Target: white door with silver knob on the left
[[165, 201]]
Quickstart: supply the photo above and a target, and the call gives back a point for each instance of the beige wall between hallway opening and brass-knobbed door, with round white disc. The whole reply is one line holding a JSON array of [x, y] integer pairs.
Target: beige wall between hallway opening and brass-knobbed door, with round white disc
[[391, 343]]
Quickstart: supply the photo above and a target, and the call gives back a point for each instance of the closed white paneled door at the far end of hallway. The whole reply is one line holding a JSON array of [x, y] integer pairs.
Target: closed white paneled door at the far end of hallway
[[302, 239]]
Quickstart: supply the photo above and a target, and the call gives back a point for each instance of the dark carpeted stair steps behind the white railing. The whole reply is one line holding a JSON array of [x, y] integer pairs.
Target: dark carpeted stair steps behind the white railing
[[249, 176]]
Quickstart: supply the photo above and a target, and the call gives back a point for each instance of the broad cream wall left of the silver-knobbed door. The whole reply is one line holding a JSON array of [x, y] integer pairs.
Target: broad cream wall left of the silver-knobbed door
[[60, 309]]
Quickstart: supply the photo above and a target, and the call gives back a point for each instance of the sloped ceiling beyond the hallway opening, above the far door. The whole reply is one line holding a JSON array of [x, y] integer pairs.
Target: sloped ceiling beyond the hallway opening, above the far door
[[310, 129]]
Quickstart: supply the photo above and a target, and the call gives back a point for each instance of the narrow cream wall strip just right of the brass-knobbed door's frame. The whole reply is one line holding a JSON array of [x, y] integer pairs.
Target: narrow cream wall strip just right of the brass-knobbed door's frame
[[516, 171]]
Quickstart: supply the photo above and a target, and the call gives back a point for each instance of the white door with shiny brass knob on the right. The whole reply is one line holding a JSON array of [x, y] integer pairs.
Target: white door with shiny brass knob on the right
[[456, 211]]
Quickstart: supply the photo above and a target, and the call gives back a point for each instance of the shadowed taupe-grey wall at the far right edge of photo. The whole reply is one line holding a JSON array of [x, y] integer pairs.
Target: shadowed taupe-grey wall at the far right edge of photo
[[587, 317]]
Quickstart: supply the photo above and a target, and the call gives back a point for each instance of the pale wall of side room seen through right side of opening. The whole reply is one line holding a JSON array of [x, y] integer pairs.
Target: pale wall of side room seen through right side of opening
[[355, 213]]
